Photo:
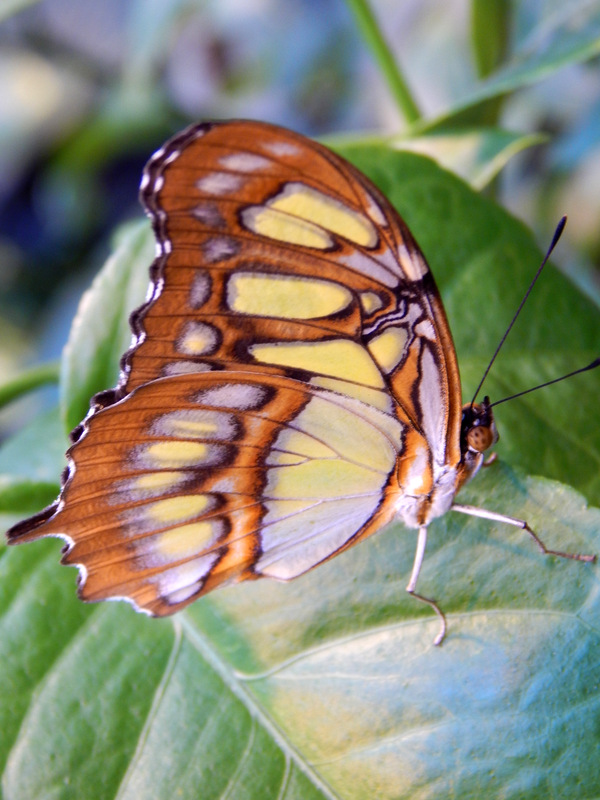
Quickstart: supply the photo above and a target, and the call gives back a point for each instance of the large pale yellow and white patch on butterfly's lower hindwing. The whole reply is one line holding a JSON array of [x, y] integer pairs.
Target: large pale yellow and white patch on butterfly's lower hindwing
[[341, 453]]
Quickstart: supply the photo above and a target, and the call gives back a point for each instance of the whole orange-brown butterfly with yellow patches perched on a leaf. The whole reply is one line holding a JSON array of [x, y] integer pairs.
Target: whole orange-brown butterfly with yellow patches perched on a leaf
[[292, 386]]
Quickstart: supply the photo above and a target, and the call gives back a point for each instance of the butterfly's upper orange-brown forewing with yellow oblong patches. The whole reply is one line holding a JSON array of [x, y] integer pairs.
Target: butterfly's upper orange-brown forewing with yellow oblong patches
[[254, 222]]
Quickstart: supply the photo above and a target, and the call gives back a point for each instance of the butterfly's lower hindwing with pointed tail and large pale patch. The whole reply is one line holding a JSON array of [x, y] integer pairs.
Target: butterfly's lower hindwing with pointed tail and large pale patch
[[168, 500]]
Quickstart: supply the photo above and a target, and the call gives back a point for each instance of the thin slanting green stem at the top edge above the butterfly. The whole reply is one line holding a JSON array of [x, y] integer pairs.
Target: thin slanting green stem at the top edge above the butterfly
[[372, 35]]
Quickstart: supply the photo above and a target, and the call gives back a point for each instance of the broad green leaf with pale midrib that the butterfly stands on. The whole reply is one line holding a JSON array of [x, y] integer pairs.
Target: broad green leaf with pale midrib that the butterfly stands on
[[325, 687]]
